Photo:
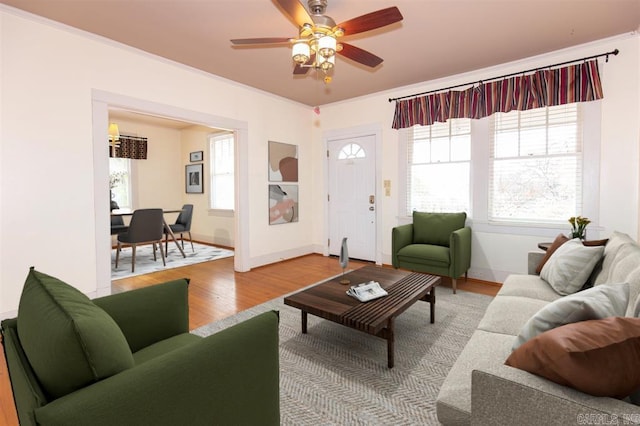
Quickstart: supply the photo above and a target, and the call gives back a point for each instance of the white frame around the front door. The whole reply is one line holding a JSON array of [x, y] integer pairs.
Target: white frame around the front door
[[374, 130]]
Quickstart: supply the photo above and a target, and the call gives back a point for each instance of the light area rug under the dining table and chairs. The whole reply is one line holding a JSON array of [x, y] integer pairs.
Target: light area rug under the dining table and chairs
[[145, 263]]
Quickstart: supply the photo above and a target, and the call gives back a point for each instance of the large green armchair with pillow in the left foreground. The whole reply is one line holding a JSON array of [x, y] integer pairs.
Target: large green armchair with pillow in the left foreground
[[128, 359]]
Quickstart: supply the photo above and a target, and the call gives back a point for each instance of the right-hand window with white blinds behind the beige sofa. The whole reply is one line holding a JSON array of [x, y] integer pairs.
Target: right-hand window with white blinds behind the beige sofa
[[536, 165]]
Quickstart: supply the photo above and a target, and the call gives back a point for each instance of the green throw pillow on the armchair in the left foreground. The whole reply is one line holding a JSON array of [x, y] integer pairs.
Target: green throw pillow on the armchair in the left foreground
[[69, 341]]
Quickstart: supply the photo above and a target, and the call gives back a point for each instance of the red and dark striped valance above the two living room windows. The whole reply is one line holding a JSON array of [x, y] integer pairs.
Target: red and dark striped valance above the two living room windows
[[548, 87]]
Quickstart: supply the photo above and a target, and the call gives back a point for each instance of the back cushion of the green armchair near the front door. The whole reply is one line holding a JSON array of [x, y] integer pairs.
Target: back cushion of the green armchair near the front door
[[436, 228]]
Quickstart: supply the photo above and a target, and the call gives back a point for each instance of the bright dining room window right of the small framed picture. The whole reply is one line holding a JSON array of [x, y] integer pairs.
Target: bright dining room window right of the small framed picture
[[221, 148]]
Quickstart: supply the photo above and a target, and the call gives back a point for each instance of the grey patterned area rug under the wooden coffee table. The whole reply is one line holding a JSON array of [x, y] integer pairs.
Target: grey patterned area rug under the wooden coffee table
[[338, 376]]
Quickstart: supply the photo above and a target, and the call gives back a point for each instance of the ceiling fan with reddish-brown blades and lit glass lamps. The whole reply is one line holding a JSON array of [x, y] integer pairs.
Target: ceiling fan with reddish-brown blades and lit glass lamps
[[317, 41]]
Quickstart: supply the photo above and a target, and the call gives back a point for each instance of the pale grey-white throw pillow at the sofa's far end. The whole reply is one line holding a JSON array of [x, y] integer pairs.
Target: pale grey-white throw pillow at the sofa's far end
[[570, 266]]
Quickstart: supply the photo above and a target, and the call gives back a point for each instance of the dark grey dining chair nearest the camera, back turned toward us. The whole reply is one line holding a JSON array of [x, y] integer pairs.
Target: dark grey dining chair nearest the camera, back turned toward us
[[146, 227]]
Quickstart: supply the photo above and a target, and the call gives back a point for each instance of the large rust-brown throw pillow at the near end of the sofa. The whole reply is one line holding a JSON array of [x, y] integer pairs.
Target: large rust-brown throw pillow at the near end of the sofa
[[598, 357]]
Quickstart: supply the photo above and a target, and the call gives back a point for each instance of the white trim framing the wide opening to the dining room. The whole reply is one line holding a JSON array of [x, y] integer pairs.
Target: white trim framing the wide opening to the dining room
[[101, 101]]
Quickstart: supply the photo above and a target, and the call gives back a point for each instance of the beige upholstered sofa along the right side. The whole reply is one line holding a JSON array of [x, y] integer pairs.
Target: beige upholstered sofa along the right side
[[480, 389]]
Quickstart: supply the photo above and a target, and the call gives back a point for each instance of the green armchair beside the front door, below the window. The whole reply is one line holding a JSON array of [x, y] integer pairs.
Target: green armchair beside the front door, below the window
[[435, 243]]
